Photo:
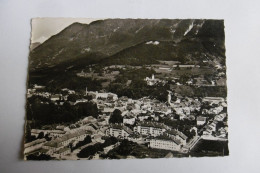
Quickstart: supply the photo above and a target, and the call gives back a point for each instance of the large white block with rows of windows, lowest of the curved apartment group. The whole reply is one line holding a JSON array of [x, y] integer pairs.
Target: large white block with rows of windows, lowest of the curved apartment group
[[165, 143]]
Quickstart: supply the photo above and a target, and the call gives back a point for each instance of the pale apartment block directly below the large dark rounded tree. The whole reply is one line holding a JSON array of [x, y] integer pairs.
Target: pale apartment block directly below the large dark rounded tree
[[119, 131]]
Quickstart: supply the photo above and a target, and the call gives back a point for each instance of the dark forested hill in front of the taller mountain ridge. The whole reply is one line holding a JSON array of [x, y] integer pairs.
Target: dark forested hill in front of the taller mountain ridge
[[150, 52]]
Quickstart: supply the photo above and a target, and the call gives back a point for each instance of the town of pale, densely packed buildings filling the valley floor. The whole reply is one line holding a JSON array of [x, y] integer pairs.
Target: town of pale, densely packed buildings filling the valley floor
[[174, 126]]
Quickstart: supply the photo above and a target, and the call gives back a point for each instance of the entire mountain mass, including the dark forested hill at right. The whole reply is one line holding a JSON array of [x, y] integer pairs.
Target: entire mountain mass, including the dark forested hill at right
[[113, 37]]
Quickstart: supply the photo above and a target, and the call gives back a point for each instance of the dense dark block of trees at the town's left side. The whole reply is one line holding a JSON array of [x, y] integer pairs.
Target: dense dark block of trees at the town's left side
[[49, 113]]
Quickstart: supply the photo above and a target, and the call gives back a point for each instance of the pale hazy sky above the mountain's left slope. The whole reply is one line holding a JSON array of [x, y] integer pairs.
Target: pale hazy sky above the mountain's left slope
[[44, 28]]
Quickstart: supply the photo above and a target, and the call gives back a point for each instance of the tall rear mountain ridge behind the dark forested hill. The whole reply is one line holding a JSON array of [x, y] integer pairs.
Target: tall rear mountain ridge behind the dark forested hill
[[78, 39]]
